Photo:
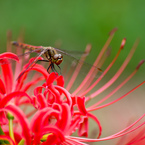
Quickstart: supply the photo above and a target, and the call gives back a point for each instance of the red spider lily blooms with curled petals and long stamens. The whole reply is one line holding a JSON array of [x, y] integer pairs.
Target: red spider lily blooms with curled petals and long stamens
[[48, 114]]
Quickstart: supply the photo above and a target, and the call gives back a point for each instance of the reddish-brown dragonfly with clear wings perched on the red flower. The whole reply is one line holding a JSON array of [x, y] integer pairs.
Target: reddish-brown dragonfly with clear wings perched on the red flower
[[52, 55]]
